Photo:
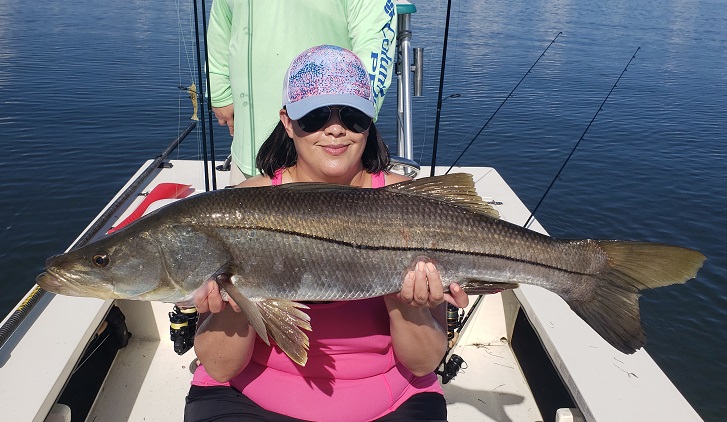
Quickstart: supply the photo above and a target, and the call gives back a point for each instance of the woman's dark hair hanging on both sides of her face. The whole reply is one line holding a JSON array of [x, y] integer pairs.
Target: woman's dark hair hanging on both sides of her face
[[278, 151]]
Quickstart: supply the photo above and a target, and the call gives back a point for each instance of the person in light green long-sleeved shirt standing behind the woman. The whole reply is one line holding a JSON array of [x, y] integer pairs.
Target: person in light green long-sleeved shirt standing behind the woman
[[251, 44]]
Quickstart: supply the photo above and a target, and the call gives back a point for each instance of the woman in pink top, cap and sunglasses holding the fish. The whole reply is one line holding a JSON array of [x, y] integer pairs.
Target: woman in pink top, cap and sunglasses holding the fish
[[367, 359]]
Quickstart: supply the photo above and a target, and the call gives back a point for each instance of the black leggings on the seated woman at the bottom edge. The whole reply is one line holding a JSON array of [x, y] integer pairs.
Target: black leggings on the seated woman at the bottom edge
[[226, 404]]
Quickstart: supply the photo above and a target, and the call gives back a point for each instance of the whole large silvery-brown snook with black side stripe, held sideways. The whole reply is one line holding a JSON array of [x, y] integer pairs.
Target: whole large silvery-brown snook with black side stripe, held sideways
[[272, 247]]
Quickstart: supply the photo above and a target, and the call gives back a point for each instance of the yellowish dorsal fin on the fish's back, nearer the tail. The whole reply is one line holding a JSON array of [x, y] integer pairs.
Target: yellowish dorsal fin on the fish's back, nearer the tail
[[458, 189]]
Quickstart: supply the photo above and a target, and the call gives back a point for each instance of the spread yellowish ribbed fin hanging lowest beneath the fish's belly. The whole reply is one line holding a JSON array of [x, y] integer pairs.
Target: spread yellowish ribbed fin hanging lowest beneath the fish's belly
[[285, 321]]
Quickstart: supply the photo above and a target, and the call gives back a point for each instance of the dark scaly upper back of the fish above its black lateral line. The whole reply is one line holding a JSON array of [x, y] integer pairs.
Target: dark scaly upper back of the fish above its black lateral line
[[378, 219]]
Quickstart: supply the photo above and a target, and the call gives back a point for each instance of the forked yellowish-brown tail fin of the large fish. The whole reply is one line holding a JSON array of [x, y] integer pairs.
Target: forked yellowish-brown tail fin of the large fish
[[612, 309]]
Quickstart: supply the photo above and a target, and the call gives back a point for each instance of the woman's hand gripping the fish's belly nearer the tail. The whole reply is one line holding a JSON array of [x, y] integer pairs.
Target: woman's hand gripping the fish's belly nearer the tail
[[422, 288]]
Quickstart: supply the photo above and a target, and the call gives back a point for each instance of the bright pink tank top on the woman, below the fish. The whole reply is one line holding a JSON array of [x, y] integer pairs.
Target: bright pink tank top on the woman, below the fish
[[351, 374]]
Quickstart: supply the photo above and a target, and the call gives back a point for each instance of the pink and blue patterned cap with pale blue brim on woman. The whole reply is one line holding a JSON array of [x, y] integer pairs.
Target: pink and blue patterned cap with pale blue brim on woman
[[323, 76]]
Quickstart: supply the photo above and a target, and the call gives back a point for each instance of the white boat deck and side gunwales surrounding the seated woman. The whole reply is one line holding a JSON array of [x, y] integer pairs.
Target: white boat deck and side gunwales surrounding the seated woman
[[148, 380]]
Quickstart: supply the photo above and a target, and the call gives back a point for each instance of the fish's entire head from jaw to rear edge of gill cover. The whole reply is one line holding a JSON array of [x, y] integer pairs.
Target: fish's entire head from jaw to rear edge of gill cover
[[151, 260]]
